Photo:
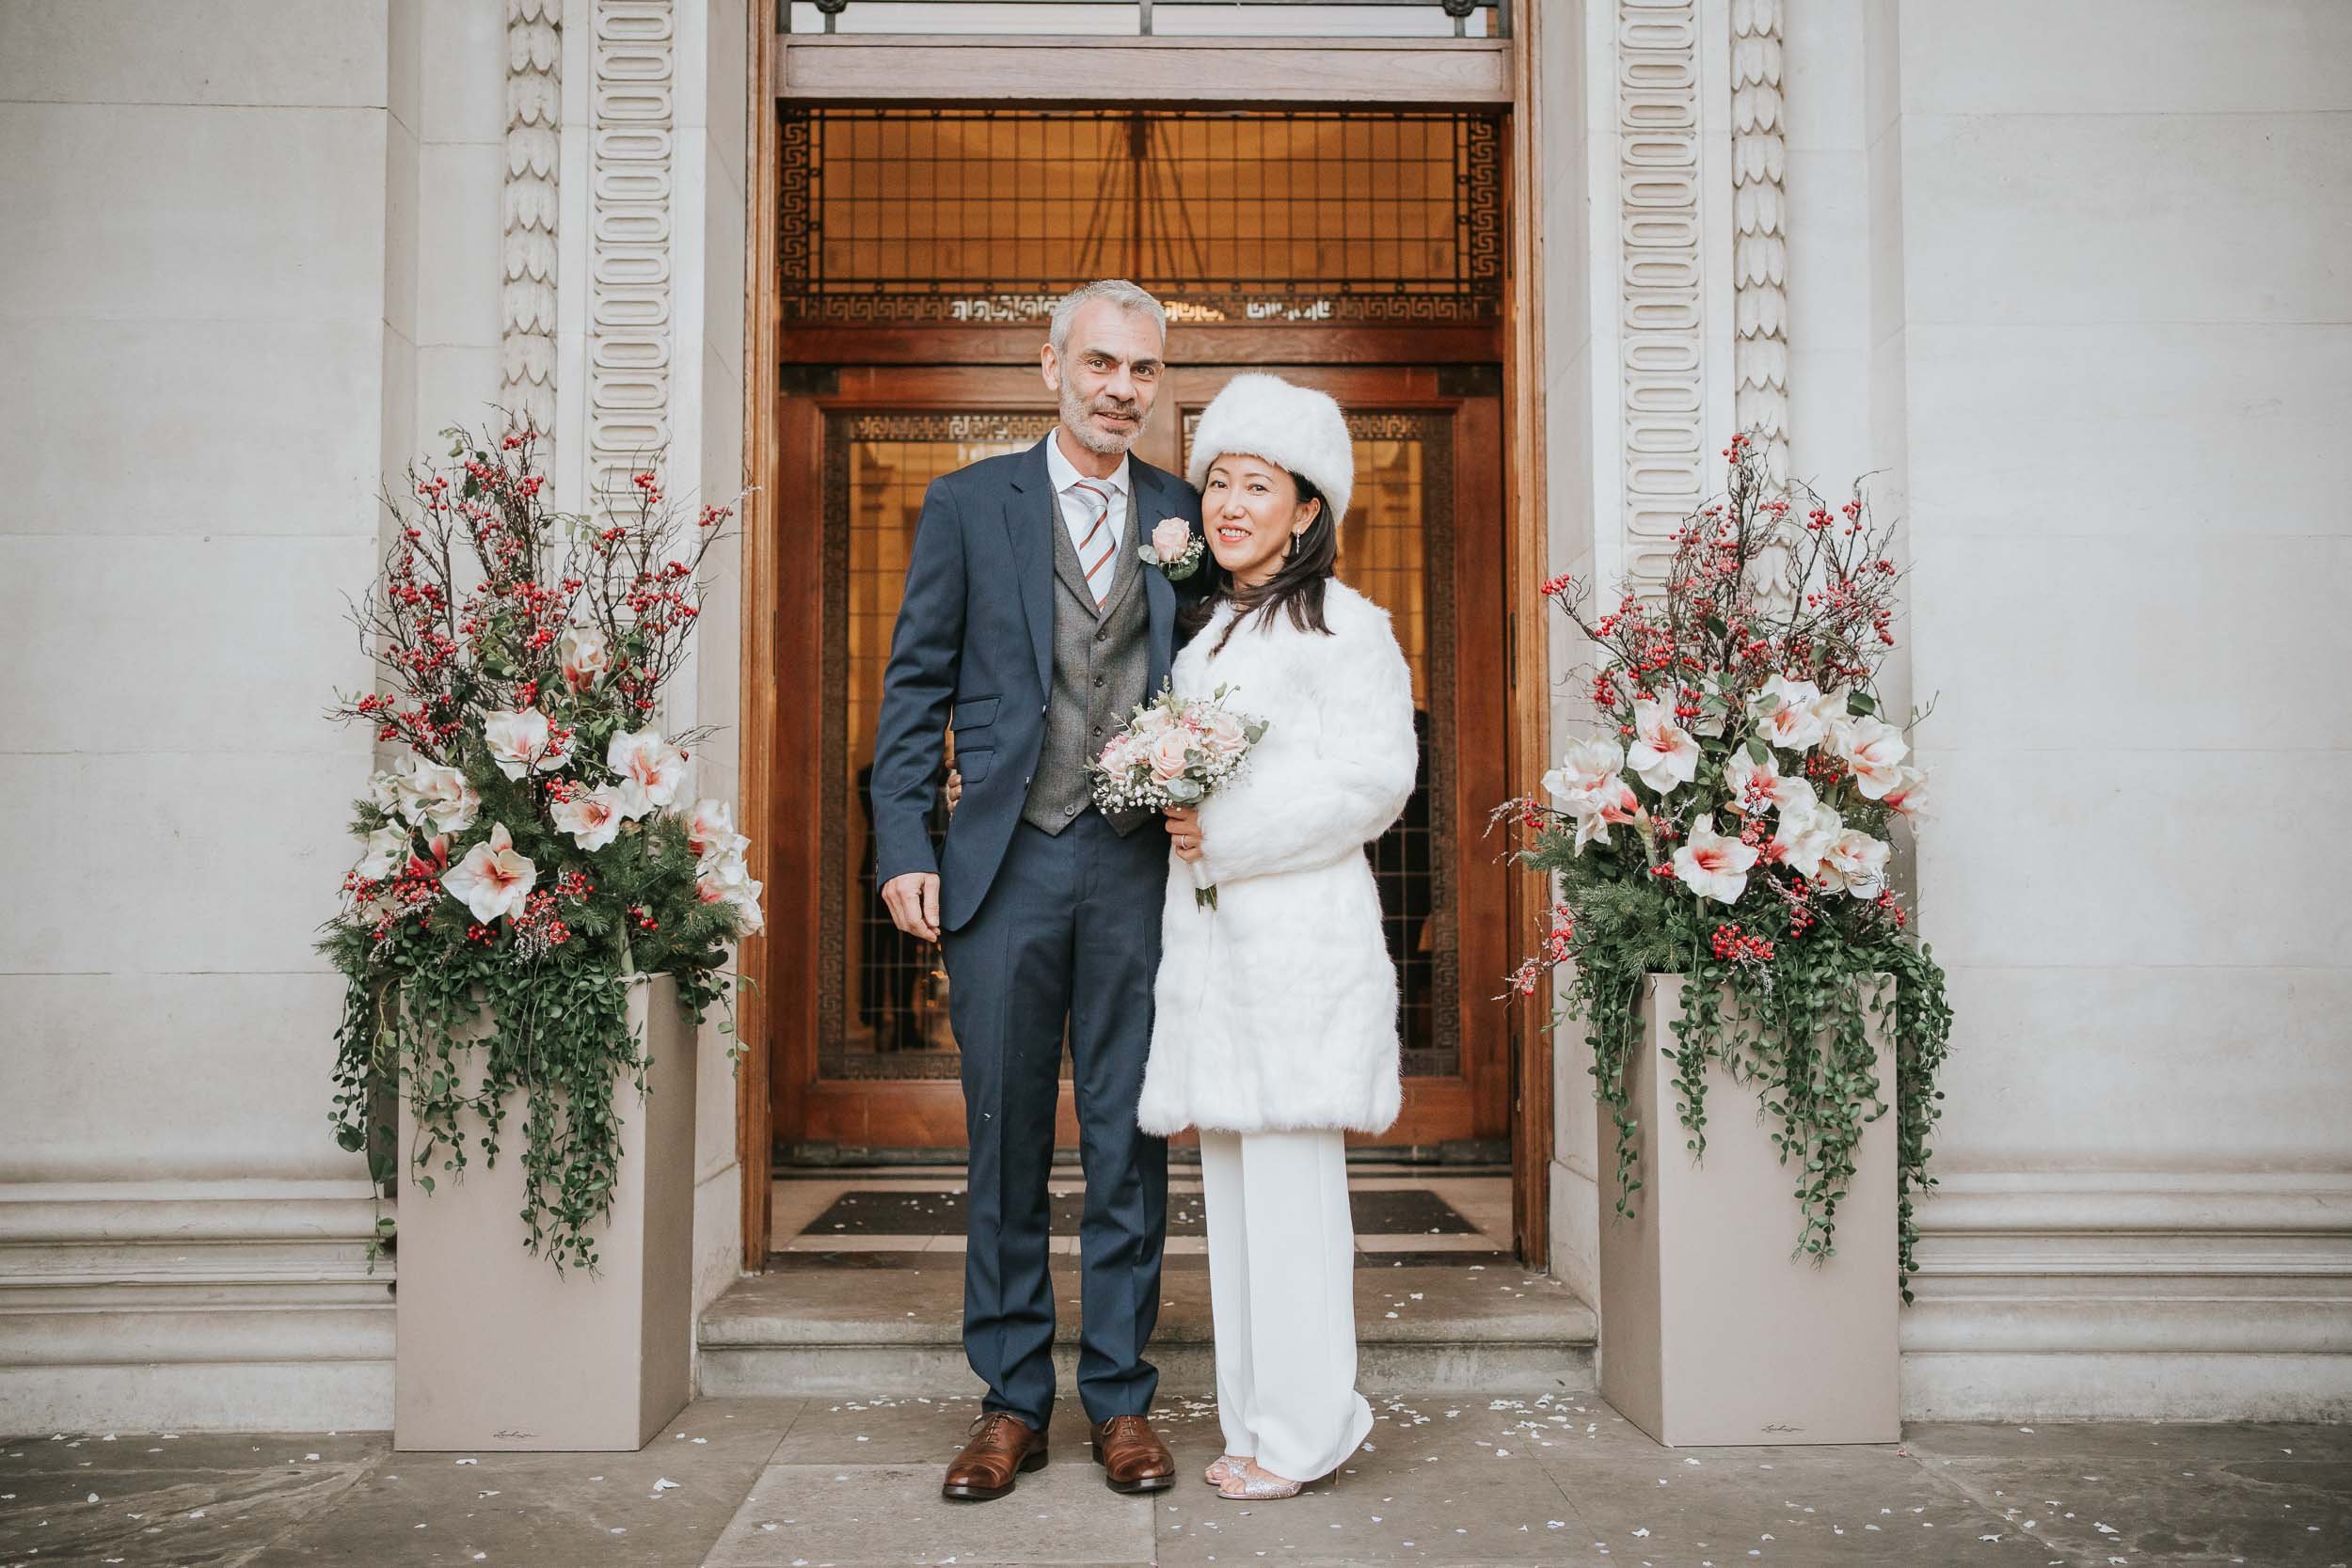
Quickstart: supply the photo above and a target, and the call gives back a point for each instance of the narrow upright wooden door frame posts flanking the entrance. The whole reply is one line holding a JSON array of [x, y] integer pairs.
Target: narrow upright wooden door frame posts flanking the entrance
[[1525, 565]]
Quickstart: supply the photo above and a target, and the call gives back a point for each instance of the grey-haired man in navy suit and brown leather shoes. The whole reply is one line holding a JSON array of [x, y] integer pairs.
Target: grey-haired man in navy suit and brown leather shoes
[[1034, 629]]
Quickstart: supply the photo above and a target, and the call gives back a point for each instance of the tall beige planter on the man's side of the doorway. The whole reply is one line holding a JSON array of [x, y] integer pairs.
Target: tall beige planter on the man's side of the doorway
[[495, 1348]]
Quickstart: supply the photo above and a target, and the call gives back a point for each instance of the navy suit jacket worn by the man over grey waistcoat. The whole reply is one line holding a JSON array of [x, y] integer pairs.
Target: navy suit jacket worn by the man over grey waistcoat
[[975, 652]]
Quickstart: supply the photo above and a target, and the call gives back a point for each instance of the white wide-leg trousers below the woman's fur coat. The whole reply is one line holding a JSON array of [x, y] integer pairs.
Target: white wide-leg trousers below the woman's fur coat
[[1283, 1299]]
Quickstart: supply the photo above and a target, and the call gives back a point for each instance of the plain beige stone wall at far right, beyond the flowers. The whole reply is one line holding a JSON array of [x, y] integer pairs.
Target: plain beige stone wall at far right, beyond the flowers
[[2116, 337]]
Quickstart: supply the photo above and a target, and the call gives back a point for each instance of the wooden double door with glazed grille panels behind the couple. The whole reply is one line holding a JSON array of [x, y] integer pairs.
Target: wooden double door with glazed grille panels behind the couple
[[862, 1050]]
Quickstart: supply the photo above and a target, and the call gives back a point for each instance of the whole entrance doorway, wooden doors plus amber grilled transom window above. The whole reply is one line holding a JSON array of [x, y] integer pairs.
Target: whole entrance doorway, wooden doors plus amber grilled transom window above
[[916, 257]]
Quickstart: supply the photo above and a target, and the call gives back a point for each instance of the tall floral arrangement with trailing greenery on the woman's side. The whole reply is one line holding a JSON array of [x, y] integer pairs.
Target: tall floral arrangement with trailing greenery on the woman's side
[[1732, 822]]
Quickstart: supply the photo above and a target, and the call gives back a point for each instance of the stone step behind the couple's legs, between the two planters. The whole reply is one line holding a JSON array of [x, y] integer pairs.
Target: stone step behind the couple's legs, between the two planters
[[890, 1325]]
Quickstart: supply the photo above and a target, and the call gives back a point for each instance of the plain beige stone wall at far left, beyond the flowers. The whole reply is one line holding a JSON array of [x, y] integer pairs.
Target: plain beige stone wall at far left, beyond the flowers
[[203, 326]]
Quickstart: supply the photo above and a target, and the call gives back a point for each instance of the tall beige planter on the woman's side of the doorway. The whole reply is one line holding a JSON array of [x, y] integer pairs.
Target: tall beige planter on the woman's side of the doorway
[[1711, 1332]]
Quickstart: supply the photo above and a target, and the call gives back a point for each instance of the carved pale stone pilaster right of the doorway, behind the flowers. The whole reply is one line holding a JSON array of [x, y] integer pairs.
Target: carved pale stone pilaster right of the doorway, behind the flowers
[[1641, 384]]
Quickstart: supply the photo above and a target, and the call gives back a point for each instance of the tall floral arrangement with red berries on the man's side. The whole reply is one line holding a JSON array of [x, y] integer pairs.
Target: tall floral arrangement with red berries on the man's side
[[530, 850]]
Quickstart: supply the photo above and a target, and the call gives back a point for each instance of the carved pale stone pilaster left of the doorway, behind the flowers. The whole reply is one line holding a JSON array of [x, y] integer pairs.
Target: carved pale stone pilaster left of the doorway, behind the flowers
[[650, 368]]
